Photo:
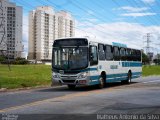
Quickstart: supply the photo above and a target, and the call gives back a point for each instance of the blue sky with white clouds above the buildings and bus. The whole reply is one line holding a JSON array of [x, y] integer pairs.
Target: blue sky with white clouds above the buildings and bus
[[123, 21]]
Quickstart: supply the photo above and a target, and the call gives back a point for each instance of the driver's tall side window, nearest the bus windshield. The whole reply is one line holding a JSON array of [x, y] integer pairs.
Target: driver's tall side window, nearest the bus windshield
[[93, 55]]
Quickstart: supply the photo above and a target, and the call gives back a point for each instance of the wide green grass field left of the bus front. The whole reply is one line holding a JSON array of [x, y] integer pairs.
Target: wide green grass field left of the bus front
[[24, 76]]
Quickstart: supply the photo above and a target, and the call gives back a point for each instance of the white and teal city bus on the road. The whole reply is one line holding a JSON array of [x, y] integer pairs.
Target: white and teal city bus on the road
[[83, 61]]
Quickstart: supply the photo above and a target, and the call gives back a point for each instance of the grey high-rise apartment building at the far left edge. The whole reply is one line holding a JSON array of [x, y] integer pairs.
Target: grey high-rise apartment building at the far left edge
[[11, 29]]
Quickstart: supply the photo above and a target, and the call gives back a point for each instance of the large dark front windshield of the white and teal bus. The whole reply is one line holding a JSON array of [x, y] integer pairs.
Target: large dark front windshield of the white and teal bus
[[70, 58]]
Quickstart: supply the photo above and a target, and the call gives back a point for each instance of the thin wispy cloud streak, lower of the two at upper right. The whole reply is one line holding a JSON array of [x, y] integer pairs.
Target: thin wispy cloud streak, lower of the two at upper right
[[138, 14]]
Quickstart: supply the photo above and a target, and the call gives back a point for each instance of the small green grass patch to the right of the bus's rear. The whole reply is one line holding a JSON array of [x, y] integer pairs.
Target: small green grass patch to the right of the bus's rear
[[151, 70]]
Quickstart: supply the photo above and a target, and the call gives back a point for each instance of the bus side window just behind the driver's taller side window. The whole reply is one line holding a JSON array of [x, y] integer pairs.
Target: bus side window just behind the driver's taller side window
[[101, 51]]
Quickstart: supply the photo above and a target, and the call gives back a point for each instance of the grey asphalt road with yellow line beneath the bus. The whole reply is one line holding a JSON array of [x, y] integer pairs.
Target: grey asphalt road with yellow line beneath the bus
[[142, 96]]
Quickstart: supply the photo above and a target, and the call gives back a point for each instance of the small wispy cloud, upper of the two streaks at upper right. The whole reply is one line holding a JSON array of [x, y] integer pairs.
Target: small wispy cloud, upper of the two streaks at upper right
[[133, 9]]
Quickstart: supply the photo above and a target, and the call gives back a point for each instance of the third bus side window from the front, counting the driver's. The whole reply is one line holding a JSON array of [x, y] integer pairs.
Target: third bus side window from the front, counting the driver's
[[109, 52]]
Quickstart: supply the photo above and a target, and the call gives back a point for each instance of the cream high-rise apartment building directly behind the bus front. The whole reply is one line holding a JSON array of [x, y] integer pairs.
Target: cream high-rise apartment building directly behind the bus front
[[46, 25]]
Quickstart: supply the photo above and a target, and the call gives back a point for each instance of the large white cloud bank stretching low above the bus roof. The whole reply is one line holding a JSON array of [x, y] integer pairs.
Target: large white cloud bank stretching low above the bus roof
[[131, 34]]
